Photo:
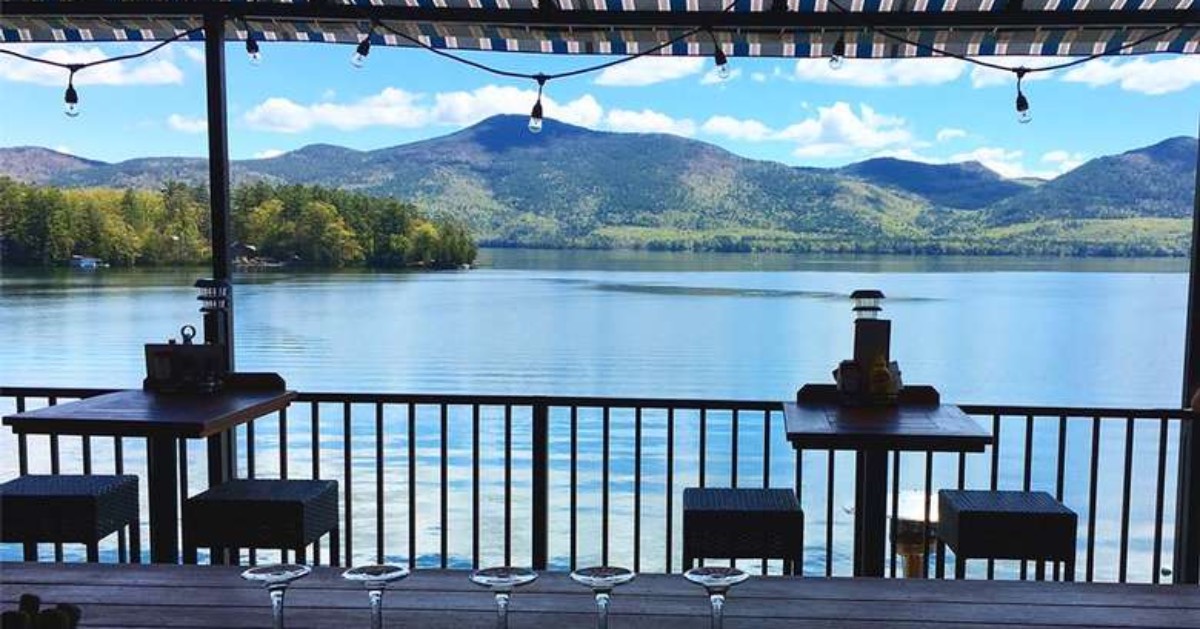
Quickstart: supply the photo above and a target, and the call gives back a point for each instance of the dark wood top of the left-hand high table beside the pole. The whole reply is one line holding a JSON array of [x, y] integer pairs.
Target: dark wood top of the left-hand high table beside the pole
[[140, 414]]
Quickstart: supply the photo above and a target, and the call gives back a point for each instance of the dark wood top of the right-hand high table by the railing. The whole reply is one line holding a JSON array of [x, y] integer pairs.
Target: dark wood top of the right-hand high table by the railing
[[938, 428]]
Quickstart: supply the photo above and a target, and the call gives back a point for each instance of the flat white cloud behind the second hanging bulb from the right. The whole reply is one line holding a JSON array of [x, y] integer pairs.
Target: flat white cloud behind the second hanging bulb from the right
[[881, 74]]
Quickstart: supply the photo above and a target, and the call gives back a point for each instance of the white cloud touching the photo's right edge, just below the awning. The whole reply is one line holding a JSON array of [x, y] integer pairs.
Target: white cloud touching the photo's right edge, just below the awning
[[1141, 75]]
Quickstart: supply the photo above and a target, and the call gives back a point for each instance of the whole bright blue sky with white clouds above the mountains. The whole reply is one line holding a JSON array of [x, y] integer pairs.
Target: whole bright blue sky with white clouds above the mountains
[[801, 113]]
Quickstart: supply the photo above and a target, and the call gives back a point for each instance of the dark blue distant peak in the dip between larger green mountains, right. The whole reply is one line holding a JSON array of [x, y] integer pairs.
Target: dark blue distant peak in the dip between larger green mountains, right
[[967, 185]]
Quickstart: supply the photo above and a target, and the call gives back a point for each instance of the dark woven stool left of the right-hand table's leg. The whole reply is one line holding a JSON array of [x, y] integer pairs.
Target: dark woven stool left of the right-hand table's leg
[[730, 524]]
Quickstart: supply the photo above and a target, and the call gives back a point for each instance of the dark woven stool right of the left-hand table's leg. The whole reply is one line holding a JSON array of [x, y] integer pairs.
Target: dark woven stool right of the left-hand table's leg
[[263, 514]]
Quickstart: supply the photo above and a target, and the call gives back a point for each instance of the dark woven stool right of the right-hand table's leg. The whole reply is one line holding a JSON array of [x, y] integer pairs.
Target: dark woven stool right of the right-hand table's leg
[[1006, 525]]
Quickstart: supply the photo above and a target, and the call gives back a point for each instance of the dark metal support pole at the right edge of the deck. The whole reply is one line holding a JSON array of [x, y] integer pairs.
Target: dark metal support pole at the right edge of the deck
[[1187, 512]]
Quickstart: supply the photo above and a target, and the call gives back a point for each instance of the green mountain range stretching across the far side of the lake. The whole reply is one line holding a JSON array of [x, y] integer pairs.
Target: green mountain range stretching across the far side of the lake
[[575, 188]]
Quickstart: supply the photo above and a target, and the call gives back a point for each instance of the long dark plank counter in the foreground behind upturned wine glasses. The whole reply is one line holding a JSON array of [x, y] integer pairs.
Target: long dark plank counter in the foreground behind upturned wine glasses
[[215, 597]]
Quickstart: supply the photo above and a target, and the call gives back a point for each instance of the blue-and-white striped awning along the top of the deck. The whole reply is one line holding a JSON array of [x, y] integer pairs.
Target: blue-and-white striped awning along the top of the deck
[[749, 28]]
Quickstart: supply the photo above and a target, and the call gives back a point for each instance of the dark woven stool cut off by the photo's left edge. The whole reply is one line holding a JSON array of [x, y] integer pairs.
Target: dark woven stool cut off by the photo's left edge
[[69, 510]]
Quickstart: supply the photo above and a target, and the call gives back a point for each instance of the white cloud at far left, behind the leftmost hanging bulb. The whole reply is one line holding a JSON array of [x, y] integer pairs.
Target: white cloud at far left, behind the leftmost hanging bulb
[[160, 71]]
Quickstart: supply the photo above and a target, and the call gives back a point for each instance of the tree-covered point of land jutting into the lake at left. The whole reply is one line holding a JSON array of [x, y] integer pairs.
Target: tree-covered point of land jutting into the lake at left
[[298, 225]]
